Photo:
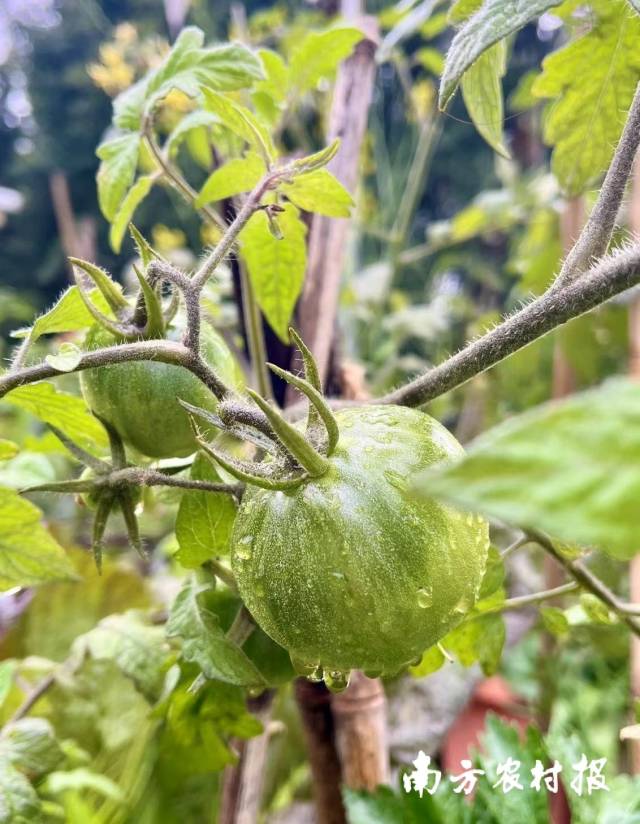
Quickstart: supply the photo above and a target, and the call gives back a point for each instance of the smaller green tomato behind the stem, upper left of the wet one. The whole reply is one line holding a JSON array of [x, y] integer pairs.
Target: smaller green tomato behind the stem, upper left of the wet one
[[140, 399]]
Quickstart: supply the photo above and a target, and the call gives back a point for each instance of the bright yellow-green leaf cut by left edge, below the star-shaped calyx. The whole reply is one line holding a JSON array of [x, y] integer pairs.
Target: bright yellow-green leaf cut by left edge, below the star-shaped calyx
[[29, 555]]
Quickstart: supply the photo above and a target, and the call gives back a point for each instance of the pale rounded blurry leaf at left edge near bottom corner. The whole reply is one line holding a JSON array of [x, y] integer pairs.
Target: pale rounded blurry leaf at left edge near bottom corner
[[30, 746]]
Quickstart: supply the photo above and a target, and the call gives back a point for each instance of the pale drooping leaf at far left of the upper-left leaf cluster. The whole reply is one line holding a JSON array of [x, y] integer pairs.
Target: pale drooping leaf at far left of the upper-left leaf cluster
[[117, 171]]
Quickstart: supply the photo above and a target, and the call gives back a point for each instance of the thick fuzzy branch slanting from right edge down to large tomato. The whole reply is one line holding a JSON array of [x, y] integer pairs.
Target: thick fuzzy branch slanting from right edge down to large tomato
[[608, 278]]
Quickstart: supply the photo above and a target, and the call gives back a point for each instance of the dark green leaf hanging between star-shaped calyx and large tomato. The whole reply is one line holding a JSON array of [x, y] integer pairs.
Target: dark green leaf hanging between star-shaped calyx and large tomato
[[205, 520]]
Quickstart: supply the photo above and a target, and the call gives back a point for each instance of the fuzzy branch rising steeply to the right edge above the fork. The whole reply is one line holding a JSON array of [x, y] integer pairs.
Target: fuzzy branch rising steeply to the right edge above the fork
[[595, 237]]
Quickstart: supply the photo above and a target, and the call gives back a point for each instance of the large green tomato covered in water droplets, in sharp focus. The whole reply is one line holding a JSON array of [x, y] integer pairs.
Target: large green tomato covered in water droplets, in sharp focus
[[349, 570]]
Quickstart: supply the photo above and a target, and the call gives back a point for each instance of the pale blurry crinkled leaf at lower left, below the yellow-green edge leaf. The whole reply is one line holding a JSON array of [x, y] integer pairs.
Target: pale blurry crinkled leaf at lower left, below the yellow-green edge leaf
[[137, 648]]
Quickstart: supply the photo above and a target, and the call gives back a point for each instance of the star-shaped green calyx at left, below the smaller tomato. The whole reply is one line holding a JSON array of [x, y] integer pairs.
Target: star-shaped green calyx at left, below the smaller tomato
[[103, 486]]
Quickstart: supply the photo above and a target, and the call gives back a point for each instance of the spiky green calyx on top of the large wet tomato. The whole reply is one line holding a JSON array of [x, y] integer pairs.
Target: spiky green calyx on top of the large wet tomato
[[290, 456]]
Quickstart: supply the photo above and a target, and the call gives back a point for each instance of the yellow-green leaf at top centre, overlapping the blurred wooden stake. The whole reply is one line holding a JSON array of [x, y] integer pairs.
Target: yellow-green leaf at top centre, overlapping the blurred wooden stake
[[318, 56]]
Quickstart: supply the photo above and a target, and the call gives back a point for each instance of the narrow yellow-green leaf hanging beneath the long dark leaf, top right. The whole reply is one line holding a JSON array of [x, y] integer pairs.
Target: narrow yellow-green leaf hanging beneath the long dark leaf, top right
[[482, 93]]
